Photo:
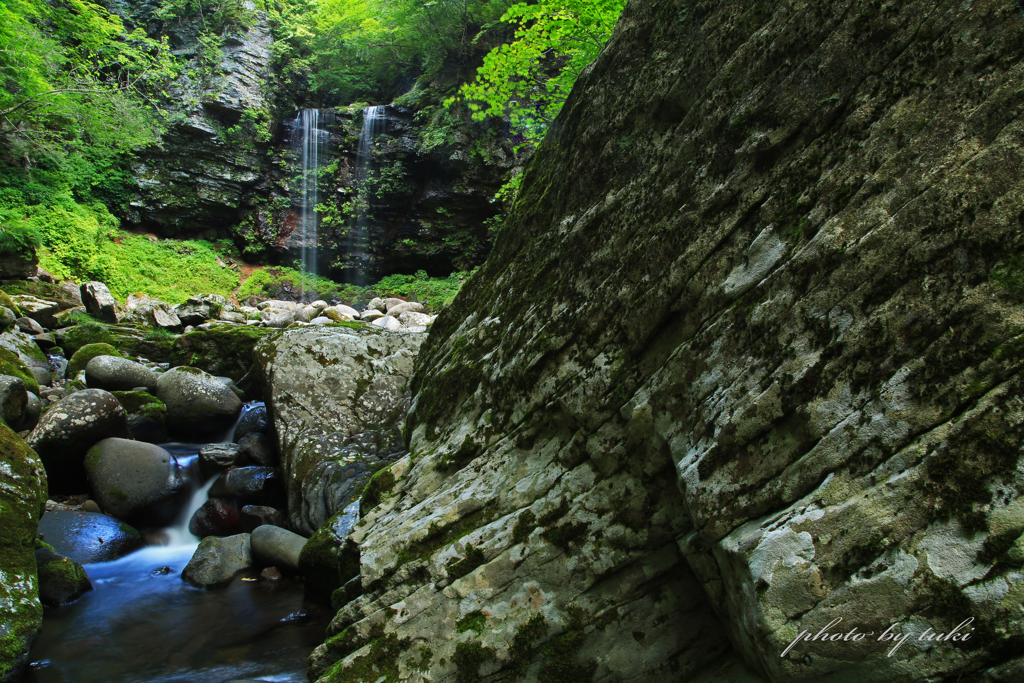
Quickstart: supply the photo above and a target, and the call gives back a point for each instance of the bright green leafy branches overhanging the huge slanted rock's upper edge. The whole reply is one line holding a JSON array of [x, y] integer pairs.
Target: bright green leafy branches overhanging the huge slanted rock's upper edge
[[528, 80]]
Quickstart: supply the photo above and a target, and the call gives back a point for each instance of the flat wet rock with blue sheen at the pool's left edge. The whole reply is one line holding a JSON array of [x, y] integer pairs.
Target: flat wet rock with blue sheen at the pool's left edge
[[89, 537]]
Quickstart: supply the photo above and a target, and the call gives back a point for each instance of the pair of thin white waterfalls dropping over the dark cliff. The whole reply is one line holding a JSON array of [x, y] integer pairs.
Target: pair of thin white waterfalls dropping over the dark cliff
[[311, 139]]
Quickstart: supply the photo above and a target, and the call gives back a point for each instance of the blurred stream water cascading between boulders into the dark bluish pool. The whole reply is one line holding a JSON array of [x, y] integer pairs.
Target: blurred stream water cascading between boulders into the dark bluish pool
[[142, 624]]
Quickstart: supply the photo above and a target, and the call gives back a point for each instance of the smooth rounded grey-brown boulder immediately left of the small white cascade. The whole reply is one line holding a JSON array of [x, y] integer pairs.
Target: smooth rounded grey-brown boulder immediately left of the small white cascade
[[136, 482]]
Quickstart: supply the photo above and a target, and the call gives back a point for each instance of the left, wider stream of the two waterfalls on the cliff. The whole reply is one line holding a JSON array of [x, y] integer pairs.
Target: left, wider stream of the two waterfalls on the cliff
[[310, 143]]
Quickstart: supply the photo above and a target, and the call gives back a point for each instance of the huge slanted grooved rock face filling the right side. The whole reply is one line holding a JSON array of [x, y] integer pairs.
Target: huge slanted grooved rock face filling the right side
[[746, 360]]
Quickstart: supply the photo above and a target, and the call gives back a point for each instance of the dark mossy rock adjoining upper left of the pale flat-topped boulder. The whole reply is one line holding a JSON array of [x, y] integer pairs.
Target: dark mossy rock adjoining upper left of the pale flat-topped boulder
[[224, 351]]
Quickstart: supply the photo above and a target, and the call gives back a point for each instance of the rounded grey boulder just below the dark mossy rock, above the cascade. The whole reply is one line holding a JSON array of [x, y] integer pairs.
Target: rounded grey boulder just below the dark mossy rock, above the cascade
[[197, 403]]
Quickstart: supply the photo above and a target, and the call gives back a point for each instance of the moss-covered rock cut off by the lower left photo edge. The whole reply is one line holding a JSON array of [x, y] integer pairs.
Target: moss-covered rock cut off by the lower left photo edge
[[23, 495]]
